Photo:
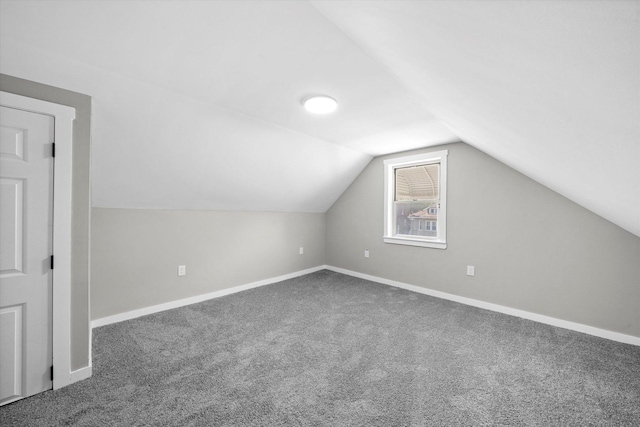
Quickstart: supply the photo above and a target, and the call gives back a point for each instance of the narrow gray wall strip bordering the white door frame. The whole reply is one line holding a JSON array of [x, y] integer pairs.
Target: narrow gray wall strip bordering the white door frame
[[80, 213]]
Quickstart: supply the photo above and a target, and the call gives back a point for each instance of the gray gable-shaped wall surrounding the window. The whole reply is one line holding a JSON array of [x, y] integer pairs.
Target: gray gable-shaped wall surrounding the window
[[533, 249]]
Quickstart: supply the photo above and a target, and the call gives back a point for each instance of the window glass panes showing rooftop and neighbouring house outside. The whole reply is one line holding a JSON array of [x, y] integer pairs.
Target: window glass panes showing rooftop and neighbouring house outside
[[417, 199]]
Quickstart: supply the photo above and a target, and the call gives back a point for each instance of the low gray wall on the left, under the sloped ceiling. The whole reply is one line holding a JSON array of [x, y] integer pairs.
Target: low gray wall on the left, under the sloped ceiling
[[135, 253]]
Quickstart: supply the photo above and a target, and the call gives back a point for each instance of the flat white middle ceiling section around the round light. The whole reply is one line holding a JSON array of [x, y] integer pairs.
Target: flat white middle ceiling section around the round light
[[259, 58]]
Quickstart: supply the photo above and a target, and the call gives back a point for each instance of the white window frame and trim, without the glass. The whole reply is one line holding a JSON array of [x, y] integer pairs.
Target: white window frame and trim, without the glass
[[390, 165]]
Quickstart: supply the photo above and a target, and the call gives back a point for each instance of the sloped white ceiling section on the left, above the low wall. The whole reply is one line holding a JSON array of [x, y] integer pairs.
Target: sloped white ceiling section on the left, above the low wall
[[77, 76]]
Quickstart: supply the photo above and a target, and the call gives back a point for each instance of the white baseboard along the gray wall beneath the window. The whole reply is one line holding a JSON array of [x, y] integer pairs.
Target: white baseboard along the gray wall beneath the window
[[578, 327]]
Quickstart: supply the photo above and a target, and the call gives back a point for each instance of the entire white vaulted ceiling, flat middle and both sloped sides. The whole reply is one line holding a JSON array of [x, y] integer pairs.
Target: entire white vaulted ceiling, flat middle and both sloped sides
[[197, 103]]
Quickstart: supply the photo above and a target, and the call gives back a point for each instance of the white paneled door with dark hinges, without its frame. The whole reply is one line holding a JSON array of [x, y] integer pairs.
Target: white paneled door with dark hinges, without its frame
[[26, 224]]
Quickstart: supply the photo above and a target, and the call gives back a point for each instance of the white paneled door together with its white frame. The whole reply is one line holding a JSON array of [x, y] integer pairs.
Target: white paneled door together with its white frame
[[35, 236]]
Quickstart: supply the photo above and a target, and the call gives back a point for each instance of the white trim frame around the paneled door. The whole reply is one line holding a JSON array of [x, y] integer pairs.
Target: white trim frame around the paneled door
[[63, 137]]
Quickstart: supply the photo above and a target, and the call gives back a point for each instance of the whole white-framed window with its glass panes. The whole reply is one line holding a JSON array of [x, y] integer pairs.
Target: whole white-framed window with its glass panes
[[415, 200]]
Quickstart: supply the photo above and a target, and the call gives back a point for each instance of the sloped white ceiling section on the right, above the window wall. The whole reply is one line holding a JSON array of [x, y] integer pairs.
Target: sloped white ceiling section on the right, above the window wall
[[551, 88]]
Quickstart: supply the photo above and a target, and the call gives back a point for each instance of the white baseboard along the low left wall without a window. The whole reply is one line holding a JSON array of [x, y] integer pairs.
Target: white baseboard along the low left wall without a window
[[120, 317]]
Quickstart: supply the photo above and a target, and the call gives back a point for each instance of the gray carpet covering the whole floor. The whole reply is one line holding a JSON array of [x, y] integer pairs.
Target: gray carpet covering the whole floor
[[328, 349]]
